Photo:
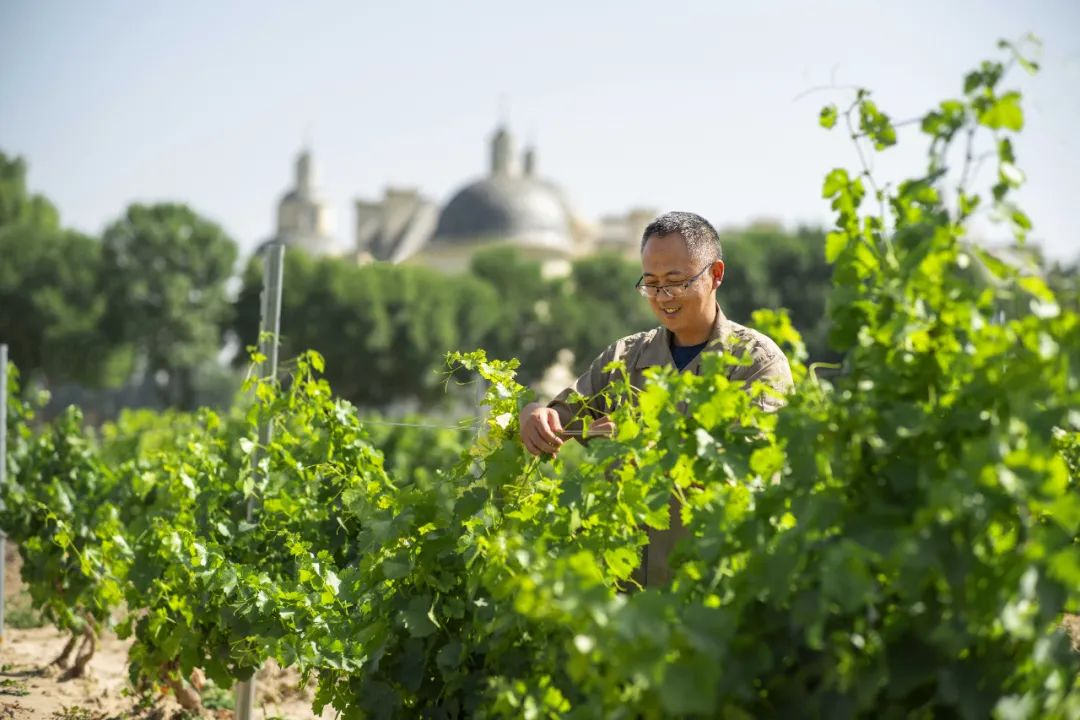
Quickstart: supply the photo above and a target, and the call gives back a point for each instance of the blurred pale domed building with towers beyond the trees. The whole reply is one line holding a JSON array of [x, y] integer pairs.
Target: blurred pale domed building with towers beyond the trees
[[511, 206]]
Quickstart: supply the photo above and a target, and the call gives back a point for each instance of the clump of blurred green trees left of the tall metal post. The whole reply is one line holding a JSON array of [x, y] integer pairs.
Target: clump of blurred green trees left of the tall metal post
[[151, 293]]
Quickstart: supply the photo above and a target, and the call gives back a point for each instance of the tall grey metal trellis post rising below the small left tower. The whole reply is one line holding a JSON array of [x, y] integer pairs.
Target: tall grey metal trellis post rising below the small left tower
[[269, 335]]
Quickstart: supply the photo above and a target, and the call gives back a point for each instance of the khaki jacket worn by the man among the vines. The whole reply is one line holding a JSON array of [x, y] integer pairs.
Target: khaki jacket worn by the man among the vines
[[651, 349]]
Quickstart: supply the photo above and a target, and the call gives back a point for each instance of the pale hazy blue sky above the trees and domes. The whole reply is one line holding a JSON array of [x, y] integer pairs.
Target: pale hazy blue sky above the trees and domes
[[707, 106]]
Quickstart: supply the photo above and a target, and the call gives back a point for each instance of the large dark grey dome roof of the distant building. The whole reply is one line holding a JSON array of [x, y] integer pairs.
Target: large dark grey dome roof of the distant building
[[521, 210]]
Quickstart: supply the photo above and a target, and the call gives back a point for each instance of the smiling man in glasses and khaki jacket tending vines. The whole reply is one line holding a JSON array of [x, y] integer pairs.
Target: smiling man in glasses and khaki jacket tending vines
[[682, 268]]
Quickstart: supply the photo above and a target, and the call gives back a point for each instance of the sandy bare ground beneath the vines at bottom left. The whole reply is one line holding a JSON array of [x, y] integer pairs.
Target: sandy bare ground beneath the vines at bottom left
[[28, 694]]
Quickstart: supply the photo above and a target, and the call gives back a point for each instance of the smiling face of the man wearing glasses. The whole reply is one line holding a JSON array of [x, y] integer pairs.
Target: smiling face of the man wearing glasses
[[667, 262]]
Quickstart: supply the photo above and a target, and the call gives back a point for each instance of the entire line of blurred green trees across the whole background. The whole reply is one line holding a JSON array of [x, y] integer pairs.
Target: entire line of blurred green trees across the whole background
[[151, 298]]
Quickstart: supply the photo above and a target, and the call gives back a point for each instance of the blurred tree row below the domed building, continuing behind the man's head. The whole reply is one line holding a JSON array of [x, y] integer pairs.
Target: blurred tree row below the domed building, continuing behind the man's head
[[384, 330]]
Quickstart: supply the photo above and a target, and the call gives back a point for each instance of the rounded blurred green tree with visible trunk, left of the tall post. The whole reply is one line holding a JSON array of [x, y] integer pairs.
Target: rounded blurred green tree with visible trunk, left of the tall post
[[165, 270]]
